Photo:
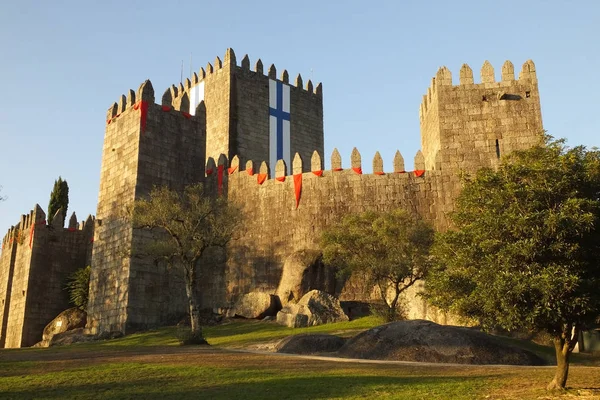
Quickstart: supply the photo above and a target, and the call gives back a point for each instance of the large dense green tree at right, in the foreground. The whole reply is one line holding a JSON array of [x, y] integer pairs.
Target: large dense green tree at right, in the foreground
[[525, 251]]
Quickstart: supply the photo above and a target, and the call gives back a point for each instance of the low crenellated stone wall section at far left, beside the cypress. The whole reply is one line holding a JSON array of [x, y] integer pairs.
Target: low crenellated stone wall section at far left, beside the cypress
[[32, 287]]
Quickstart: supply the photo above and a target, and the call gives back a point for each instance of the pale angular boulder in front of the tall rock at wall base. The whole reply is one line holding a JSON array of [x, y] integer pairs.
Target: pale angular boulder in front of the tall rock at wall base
[[314, 308]]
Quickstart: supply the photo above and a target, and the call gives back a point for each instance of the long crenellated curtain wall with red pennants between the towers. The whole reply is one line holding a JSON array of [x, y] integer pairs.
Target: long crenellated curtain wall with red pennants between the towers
[[274, 228]]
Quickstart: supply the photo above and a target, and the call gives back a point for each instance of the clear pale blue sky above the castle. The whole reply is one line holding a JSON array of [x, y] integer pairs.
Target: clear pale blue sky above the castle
[[63, 63]]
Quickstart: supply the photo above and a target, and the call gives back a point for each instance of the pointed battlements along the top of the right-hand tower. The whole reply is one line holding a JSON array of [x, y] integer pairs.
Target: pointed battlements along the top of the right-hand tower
[[443, 78]]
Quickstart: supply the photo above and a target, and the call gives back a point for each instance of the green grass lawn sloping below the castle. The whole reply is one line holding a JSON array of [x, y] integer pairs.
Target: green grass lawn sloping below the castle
[[152, 366]]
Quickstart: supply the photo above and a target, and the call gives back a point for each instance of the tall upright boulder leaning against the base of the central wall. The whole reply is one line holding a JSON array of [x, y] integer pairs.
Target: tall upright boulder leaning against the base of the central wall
[[304, 271]]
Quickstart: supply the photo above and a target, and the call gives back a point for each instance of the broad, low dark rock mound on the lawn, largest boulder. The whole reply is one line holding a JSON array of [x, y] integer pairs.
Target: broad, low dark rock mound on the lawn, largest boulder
[[426, 341]]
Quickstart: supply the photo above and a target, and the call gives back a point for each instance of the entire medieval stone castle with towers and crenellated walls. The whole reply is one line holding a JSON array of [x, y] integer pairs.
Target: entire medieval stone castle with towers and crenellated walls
[[257, 139]]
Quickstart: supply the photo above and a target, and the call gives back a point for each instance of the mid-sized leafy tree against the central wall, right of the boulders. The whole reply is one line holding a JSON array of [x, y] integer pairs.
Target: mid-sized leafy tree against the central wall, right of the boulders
[[390, 249]]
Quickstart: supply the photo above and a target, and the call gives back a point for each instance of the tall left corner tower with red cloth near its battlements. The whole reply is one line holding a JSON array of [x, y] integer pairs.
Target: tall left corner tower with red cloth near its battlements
[[146, 144]]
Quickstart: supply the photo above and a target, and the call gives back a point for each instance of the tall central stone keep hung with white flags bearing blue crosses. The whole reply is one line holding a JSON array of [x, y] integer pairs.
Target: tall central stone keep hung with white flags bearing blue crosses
[[252, 115]]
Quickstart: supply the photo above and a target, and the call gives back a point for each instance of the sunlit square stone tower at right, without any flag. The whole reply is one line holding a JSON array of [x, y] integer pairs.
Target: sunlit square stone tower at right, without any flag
[[471, 125]]
